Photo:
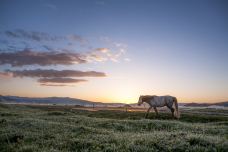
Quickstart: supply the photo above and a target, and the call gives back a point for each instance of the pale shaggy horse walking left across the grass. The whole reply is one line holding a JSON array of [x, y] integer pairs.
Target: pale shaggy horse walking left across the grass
[[160, 101]]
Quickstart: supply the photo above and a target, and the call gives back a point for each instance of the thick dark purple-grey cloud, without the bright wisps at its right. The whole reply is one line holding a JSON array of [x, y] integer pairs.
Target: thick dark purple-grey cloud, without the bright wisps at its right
[[29, 57]]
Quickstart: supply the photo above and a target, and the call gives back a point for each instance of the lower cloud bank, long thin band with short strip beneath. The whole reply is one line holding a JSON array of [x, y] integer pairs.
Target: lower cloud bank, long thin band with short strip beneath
[[53, 77]]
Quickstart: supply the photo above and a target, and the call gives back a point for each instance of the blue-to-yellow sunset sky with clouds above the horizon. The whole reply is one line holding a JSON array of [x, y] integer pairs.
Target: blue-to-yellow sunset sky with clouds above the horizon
[[114, 50]]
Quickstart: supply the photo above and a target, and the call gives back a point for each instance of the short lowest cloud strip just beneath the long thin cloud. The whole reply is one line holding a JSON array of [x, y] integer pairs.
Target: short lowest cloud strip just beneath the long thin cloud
[[60, 80]]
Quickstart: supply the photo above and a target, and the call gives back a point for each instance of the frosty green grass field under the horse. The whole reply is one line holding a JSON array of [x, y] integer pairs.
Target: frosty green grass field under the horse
[[61, 128]]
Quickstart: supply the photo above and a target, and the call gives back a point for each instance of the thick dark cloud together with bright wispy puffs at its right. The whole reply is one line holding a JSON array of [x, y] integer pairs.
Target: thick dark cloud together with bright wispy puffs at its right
[[64, 57]]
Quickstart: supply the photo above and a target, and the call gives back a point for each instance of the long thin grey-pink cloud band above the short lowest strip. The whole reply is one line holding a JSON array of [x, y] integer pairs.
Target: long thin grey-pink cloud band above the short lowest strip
[[55, 73]]
